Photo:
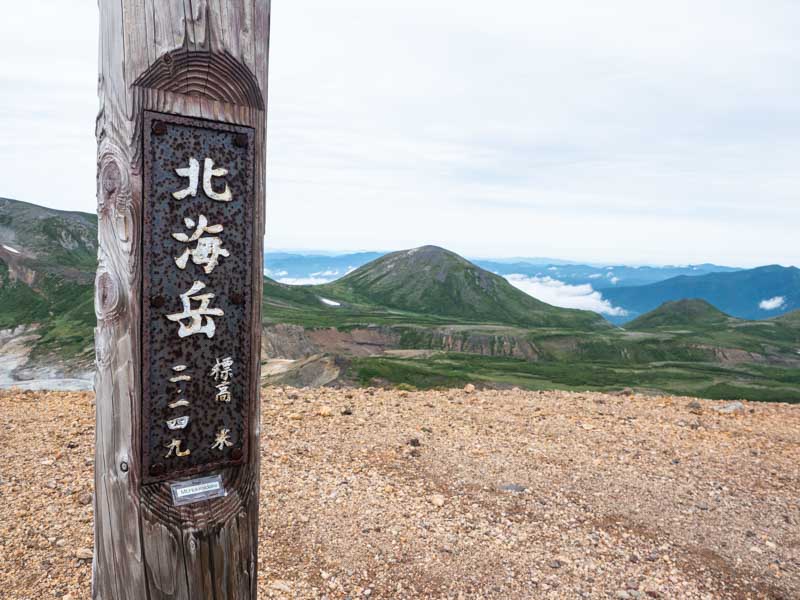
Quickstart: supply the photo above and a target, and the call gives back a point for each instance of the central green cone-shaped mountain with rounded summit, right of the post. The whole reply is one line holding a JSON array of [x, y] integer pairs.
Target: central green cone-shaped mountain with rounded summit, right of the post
[[433, 281]]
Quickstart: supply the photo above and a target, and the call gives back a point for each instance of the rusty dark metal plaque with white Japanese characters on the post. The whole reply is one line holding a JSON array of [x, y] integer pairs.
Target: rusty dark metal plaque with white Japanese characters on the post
[[197, 263]]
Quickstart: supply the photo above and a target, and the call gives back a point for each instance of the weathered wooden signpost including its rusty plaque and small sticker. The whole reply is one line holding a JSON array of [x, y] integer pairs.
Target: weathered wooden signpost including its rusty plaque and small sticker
[[180, 193]]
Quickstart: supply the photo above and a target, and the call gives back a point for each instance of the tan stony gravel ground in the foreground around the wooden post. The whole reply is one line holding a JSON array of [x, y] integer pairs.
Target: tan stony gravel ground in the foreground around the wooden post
[[456, 494]]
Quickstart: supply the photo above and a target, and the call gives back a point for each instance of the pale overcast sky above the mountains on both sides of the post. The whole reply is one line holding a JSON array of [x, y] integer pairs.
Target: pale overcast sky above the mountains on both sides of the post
[[621, 131]]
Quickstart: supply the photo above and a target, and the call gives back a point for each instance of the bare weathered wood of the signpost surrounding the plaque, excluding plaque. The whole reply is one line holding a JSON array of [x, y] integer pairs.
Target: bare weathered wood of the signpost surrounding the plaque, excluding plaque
[[199, 58]]
